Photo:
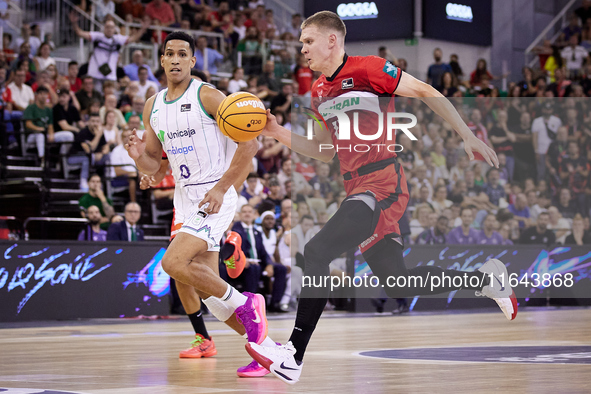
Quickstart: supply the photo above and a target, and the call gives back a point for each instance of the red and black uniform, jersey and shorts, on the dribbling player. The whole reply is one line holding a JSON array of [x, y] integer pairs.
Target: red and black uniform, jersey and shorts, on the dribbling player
[[356, 87]]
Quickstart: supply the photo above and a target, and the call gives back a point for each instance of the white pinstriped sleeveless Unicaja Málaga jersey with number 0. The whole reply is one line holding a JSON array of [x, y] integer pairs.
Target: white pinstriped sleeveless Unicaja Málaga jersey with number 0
[[197, 151]]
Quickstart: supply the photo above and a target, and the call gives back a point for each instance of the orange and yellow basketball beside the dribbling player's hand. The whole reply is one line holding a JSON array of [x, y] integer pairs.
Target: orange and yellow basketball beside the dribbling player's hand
[[242, 116]]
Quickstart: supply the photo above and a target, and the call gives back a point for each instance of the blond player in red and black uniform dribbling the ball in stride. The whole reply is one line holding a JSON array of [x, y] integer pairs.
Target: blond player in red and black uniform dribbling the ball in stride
[[375, 183]]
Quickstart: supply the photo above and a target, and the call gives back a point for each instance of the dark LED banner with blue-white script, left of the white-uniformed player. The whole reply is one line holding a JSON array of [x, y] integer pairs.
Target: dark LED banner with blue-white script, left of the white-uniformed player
[[49, 280]]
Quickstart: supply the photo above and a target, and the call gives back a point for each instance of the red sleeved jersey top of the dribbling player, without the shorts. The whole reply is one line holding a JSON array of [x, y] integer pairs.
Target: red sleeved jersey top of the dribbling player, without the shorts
[[358, 84]]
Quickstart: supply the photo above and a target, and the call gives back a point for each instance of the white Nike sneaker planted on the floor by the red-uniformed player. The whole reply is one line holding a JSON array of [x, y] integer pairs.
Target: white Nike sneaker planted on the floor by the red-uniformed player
[[279, 360]]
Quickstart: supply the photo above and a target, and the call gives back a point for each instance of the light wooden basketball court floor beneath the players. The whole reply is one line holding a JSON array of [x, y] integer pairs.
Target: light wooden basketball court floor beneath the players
[[444, 353]]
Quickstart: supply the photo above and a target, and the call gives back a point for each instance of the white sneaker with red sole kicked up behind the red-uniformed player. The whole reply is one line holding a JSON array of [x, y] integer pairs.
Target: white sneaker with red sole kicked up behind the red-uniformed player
[[498, 288]]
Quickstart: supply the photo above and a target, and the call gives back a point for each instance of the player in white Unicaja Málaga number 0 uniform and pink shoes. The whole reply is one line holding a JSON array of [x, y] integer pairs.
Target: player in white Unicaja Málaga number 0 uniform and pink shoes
[[180, 120]]
